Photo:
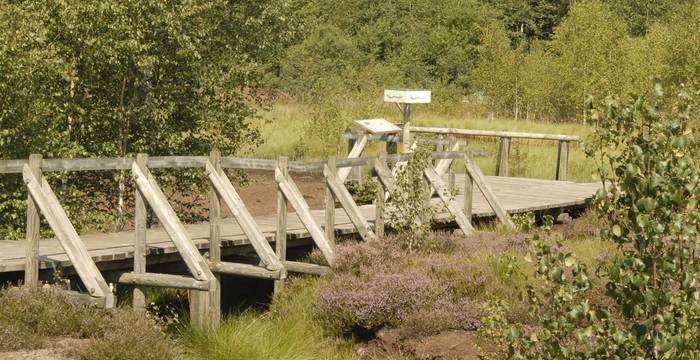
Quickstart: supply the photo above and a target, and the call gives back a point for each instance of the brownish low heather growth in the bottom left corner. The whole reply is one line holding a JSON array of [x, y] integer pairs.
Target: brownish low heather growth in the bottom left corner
[[31, 318]]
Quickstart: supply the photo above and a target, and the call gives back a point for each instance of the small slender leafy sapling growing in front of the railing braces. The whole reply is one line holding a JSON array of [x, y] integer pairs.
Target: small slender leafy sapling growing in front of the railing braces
[[411, 210]]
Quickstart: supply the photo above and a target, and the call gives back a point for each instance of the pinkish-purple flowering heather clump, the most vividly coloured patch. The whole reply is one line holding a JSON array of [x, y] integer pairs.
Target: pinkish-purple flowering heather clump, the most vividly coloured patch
[[349, 303]]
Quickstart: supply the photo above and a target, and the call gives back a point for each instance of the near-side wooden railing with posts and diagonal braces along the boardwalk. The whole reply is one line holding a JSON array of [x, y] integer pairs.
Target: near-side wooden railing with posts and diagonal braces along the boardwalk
[[204, 274]]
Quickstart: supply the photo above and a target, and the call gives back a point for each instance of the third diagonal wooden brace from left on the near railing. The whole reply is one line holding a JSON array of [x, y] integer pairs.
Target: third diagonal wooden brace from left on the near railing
[[240, 212]]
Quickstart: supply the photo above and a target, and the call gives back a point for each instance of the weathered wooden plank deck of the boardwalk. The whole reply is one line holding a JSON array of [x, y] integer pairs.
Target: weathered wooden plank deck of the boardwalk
[[113, 251]]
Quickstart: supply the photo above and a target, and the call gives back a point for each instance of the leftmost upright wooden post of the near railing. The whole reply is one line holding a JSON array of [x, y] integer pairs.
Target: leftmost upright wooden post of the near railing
[[31, 268]]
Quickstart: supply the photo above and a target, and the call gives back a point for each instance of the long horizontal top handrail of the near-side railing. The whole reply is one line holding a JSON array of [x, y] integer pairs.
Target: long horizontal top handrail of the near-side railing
[[155, 162]]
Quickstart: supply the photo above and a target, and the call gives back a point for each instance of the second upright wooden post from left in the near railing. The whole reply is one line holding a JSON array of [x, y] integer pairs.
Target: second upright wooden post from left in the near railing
[[140, 226]]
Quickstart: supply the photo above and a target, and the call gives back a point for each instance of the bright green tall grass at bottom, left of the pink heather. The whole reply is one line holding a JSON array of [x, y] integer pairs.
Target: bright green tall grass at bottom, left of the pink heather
[[288, 331]]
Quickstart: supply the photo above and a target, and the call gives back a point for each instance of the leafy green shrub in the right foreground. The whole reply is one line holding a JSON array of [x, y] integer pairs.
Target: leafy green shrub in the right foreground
[[651, 187]]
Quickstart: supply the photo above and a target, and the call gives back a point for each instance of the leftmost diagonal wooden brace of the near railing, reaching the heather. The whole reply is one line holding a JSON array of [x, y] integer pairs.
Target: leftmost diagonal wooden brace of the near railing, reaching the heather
[[67, 236]]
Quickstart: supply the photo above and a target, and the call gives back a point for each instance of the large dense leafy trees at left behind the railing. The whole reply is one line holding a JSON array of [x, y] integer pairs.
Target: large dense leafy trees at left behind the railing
[[82, 79]]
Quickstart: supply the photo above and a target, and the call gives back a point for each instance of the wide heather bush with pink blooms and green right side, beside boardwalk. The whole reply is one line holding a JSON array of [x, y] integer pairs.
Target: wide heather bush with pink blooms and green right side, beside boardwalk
[[376, 285]]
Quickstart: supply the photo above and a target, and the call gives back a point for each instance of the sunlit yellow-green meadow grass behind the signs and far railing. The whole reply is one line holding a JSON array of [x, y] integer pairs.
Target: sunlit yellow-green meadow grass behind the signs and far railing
[[282, 128]]
